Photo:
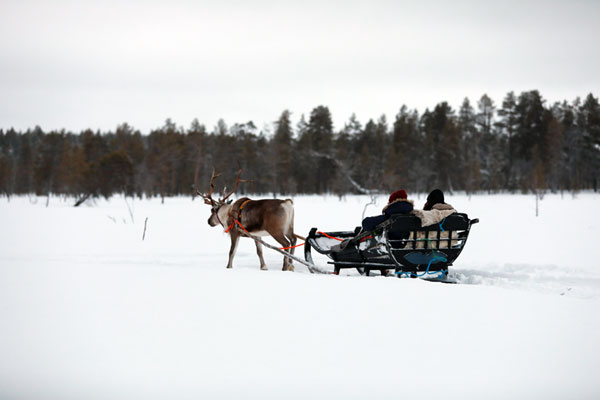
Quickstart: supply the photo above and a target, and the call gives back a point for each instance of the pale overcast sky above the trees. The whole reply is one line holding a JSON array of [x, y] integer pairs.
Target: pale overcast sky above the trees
[[95, 64]]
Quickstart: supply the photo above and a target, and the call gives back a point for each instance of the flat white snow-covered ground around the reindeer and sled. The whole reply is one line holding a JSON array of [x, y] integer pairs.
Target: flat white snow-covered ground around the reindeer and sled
[[90, 311]]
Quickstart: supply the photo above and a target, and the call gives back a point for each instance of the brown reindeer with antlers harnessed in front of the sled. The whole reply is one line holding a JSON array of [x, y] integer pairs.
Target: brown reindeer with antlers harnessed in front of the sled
[[257, 217]]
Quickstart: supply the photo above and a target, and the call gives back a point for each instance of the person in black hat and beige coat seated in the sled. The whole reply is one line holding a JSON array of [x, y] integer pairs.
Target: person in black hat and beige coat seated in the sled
[[434, 211]]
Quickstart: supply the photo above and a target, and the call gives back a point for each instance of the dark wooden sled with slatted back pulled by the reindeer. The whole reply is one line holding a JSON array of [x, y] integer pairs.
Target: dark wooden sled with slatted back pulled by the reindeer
[[399, 244]]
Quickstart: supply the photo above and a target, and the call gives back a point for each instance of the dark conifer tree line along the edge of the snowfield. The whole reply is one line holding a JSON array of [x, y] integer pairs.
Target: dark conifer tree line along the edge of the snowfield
[[520, 145]]
